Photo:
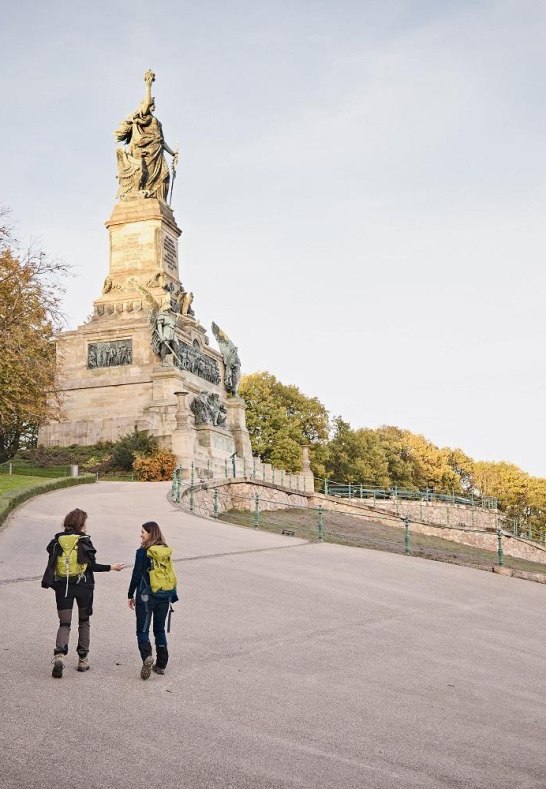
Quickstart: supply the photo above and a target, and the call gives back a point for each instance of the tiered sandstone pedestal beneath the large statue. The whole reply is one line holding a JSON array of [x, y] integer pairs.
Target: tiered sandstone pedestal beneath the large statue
[[114, 382]]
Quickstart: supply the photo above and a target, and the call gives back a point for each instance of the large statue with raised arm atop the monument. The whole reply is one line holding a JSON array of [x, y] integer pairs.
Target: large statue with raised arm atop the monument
[[142, 168]]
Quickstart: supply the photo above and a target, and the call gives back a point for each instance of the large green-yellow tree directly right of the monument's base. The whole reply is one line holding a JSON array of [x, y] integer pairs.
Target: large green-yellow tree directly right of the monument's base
[[281, 419]]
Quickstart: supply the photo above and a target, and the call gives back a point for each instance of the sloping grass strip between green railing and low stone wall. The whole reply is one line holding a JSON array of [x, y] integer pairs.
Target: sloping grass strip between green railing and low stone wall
[[364, 533]]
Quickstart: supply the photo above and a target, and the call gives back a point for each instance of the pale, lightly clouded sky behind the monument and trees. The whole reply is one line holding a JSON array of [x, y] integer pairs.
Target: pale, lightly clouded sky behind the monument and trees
[[361, 190]]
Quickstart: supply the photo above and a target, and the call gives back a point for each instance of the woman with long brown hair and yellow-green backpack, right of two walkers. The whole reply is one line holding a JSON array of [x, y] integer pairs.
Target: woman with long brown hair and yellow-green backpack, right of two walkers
[[151, 592]]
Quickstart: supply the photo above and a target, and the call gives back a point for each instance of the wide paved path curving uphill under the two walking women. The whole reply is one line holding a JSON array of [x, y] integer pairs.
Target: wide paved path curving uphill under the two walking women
[[293, 665]]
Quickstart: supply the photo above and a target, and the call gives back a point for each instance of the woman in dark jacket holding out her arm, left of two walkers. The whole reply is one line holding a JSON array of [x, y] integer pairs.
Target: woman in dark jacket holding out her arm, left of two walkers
[[75, 583]]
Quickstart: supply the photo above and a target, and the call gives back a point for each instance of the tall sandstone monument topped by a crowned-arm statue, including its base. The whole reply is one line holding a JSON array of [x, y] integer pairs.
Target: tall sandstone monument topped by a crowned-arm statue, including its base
[[143, 359]]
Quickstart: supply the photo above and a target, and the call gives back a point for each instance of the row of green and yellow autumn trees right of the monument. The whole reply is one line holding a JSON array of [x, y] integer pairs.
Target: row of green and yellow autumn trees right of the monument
[[281, 419]]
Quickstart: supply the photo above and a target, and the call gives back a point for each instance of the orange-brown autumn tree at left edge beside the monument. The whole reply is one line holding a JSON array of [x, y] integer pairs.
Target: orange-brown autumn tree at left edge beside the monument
[[30, 294]]
